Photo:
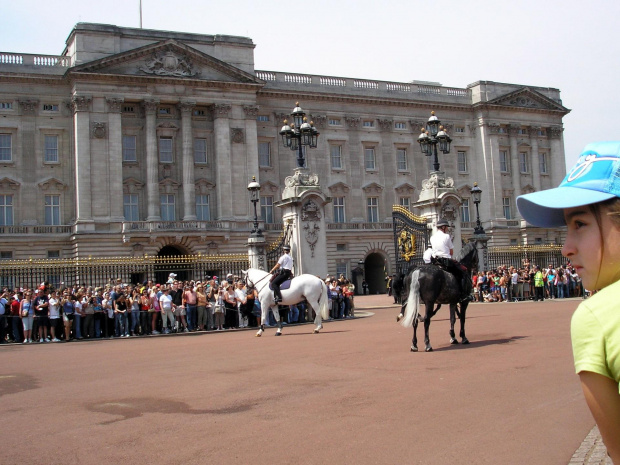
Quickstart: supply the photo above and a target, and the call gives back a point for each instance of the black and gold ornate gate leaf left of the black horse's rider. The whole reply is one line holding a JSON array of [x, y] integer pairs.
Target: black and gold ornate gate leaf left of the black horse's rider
[[410, 238]]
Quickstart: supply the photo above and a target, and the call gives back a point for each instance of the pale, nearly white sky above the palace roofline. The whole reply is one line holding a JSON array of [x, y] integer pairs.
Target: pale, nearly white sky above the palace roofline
[[569, 45]]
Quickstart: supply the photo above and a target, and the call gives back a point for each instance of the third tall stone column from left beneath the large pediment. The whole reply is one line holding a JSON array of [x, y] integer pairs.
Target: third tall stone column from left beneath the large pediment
[[152, 162]]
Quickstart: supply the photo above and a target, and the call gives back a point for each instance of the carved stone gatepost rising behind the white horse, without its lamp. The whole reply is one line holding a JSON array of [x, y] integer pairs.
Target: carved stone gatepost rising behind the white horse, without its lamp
[[303, 205]]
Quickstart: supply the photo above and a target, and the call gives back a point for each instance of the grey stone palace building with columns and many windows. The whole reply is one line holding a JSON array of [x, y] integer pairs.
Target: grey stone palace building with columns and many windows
[[136, 141]]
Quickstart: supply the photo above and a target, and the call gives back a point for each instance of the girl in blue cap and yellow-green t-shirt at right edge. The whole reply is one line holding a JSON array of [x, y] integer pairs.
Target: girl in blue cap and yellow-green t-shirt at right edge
[[588, 203]]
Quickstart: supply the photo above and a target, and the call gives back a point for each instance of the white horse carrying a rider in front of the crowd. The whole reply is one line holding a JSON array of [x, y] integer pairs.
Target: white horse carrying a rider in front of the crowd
[[305, 286]]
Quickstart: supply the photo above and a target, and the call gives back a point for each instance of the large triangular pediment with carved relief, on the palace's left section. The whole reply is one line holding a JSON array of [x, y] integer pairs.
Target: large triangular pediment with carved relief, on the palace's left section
[[168, 59]]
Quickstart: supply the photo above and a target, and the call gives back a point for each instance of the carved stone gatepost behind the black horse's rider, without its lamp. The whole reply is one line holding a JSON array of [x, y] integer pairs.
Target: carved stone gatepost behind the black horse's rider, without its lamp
[[439, 199]]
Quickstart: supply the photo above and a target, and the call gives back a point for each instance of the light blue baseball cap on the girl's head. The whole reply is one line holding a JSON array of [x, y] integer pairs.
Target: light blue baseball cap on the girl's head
[[595, 178]]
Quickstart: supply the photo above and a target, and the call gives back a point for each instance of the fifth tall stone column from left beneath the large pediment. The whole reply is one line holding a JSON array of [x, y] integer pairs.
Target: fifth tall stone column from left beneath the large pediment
[[222, 159]]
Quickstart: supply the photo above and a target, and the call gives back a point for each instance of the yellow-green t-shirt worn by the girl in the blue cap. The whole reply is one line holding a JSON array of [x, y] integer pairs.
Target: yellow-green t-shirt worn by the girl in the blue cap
[[595, 332]]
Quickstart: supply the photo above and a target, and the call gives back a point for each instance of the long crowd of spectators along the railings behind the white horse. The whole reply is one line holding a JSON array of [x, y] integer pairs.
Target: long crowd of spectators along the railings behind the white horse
[[119, 310]]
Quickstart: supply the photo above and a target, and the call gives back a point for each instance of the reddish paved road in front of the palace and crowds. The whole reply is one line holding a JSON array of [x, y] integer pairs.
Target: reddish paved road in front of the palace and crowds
[[352, 394]]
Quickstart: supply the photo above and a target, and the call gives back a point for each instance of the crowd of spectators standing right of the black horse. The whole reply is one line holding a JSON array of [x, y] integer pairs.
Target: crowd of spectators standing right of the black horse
[[530, 282]]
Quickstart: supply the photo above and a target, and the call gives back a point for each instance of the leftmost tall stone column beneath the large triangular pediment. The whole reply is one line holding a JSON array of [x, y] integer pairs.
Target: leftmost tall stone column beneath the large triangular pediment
[[81, 123]]
